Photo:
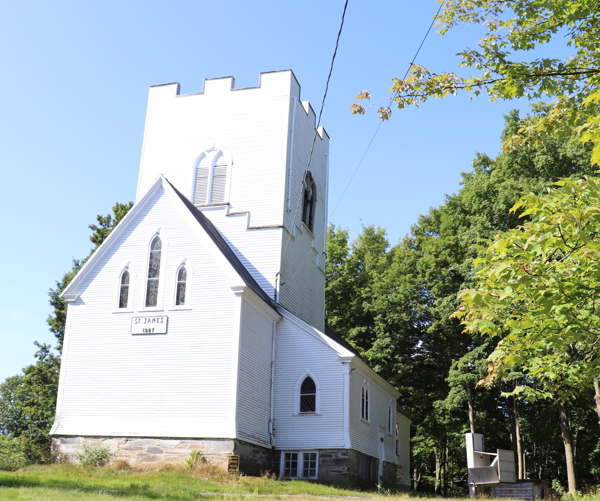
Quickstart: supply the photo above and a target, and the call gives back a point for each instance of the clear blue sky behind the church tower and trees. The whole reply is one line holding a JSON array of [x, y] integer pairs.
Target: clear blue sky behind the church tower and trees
[[73, 94]]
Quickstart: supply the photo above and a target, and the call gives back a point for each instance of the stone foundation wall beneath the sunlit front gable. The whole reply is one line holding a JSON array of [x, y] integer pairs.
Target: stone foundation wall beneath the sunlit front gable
[[253, 459]]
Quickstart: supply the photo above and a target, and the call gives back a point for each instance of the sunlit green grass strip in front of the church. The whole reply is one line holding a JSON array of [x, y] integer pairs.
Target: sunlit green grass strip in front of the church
[[70, 482]]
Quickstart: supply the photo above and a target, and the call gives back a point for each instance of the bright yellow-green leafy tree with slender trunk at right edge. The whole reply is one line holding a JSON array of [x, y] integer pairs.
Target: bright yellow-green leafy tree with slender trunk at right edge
[[537, 290]]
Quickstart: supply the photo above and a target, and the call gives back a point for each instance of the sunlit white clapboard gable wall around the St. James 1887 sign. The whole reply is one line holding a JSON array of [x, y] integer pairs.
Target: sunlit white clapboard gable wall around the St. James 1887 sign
[[173, 385]]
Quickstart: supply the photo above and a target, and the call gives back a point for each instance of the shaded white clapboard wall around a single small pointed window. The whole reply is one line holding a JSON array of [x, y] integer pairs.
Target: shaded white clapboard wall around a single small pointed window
[[297, 353]]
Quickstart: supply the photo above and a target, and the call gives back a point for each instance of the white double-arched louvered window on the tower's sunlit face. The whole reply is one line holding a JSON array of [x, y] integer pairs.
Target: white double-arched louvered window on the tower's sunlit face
[[211, 178]]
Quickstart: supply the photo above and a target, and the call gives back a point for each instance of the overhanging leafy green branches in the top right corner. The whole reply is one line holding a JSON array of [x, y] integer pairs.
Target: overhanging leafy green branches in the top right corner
[[504, 69]]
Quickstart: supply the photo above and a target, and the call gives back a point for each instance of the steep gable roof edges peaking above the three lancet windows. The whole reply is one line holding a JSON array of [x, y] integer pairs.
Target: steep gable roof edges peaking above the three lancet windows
[[185, 206]]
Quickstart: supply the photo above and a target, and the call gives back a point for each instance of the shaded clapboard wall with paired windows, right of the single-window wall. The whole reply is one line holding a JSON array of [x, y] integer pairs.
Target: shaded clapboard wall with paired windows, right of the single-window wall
[[365, 435]]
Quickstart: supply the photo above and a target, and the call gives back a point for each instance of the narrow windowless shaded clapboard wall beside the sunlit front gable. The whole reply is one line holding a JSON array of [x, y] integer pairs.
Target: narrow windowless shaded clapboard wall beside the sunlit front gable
[[254, 383]]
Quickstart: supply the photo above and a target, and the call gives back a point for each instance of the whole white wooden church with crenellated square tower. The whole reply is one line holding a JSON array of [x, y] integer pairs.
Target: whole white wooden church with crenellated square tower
[[199, 323]]
